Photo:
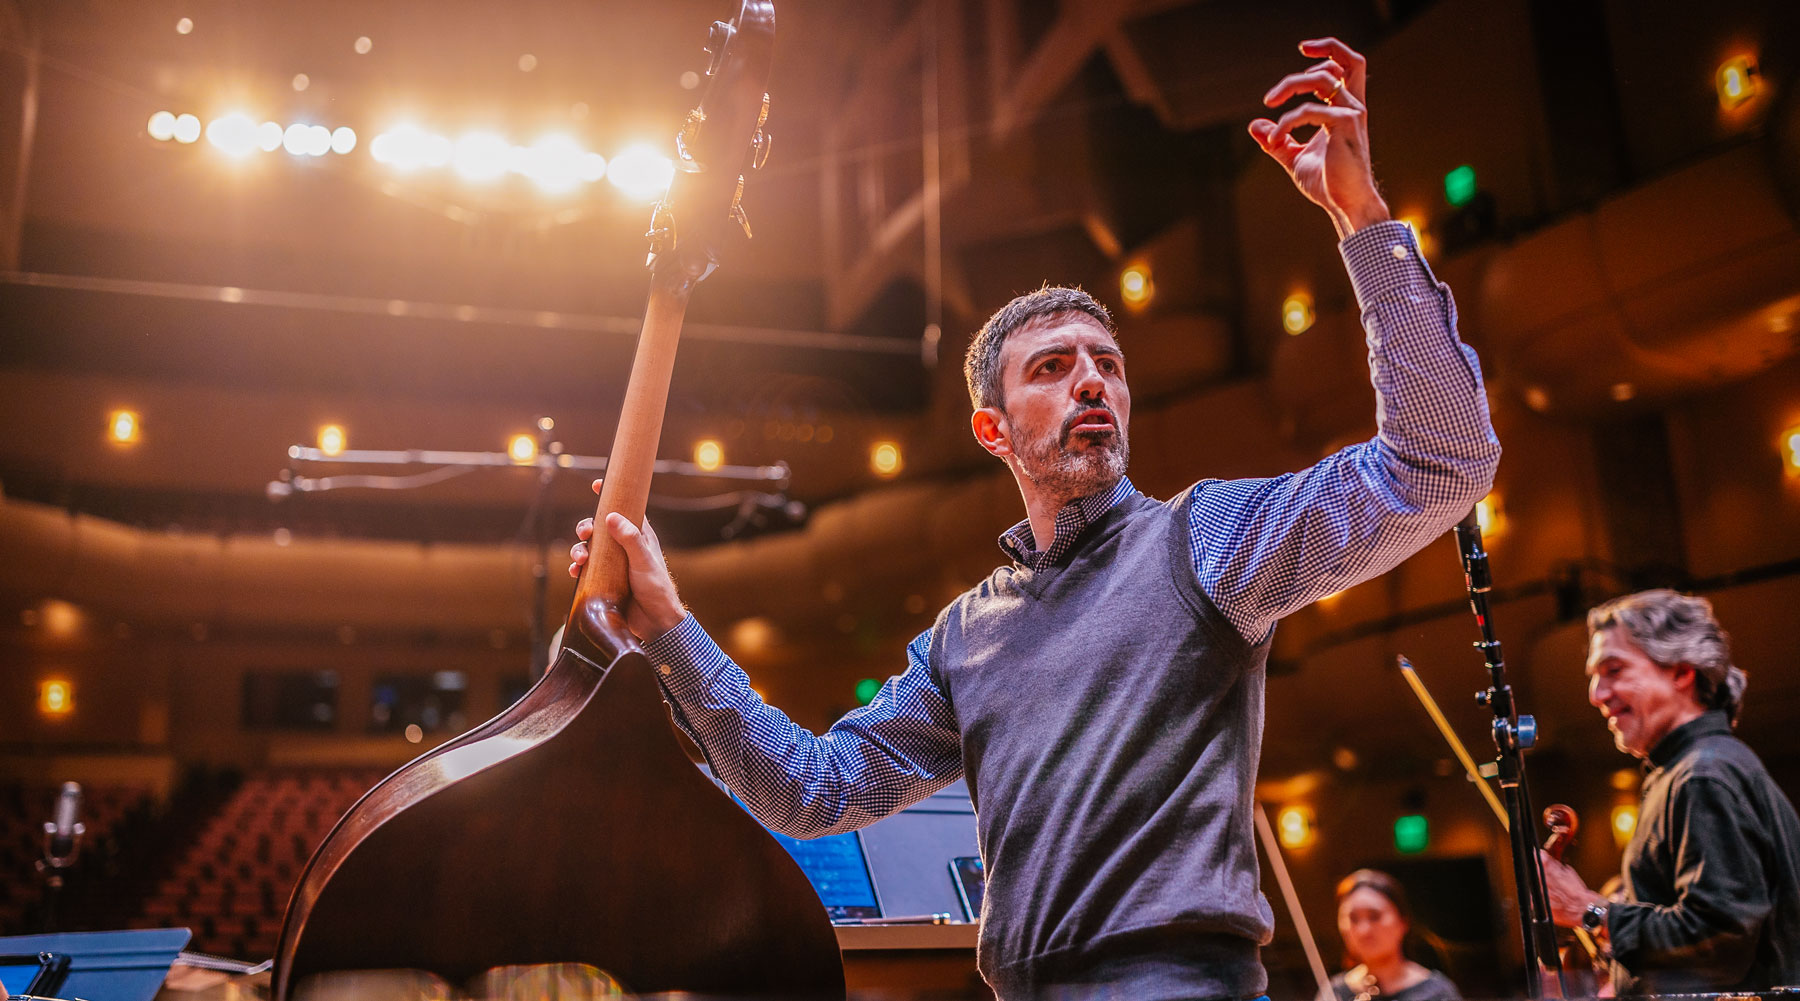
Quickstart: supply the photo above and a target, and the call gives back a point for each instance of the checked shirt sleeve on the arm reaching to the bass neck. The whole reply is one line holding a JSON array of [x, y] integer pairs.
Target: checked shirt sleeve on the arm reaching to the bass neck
[[881, 759]]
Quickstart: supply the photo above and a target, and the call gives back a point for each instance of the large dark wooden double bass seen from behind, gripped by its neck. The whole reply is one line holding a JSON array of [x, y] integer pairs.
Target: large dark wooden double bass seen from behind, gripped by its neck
[[573, 829]]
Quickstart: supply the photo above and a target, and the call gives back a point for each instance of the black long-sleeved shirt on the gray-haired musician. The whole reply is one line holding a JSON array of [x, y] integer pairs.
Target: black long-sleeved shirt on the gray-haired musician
[[1713, 874]]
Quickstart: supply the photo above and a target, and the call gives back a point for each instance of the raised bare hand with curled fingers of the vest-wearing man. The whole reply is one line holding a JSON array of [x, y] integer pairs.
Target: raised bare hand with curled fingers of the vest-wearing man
[[1333, 165]]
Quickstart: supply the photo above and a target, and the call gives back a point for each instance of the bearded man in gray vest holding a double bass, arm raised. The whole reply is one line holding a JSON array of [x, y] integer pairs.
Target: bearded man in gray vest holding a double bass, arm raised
[[1104, 690]]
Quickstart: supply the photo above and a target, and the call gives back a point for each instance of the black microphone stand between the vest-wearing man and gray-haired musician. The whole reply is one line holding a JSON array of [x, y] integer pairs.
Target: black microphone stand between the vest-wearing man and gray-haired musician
[[1513, 737]]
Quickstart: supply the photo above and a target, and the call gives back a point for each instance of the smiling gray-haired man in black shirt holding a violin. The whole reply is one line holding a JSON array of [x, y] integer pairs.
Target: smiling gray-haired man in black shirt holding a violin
[[1713, 872]]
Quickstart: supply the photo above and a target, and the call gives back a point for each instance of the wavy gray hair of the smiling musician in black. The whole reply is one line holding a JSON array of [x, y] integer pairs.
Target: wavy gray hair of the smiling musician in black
[[1680, 629]]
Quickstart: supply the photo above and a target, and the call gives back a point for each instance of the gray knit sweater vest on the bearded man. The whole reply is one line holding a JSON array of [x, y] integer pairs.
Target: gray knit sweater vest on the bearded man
[[1111, 726]]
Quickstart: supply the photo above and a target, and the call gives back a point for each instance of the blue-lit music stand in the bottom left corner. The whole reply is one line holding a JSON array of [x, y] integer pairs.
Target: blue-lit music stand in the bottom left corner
[[107, 966]]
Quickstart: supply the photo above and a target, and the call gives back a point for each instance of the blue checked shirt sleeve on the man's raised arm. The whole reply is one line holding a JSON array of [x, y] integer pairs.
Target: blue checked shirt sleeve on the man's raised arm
[[1264, 548]]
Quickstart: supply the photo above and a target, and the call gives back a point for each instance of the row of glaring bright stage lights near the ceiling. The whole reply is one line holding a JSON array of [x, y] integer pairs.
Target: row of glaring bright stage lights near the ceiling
[[555, 163]]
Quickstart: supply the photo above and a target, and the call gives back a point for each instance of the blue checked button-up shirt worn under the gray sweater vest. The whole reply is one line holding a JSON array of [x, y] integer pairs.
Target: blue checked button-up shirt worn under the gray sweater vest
[[1263, 548]]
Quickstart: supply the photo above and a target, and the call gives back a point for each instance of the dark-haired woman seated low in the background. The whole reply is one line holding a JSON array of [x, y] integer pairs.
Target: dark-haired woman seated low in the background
[[1376, 921]]
